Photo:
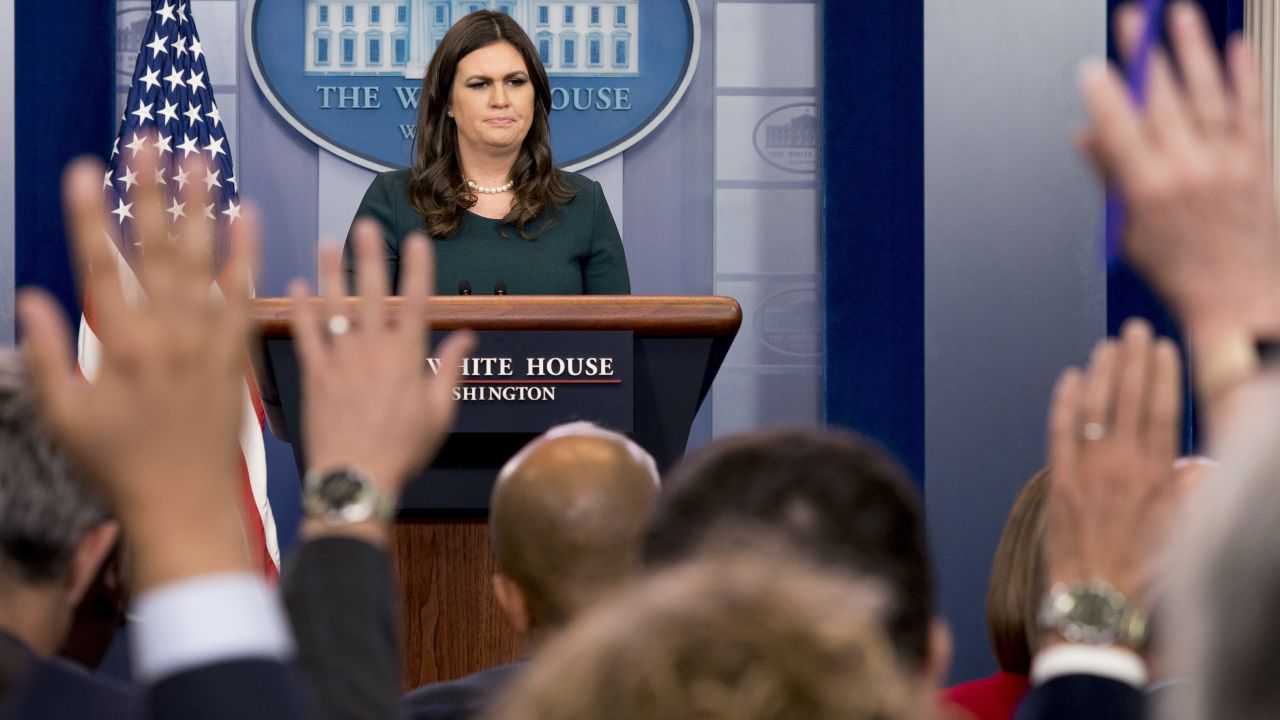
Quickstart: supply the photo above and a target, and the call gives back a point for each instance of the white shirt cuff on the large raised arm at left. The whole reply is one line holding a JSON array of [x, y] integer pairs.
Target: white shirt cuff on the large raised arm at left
[[207, 621]]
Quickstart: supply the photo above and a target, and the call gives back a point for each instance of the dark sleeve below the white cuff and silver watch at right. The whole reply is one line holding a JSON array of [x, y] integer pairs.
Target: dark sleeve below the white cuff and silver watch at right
[[1072, 698]]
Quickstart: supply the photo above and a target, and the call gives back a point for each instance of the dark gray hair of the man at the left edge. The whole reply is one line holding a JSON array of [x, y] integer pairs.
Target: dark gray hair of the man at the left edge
[[45, 509]]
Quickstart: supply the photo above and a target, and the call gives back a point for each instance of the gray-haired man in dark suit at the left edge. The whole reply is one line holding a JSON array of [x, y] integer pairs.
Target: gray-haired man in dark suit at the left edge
[[57, 535]]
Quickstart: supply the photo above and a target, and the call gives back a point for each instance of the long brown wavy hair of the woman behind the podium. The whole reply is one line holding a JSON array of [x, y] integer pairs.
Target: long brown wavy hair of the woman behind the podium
[[438, 190]]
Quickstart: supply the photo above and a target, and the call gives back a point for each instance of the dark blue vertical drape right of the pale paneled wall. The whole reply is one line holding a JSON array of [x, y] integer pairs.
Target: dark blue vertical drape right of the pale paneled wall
[[874, 224]]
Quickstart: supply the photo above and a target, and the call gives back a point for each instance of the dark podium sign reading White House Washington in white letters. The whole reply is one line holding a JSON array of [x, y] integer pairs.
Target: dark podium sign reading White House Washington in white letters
[[525, 382]]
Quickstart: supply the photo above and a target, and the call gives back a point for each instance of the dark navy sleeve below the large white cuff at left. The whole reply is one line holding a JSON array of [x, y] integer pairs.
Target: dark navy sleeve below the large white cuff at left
[[240, 690]]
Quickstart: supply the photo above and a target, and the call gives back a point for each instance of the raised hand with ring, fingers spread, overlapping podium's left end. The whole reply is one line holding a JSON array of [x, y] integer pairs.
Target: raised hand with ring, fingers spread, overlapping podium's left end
[[371, 402]]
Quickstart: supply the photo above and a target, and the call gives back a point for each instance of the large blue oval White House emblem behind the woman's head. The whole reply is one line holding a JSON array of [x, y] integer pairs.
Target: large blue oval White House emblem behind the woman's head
[[348, 74]]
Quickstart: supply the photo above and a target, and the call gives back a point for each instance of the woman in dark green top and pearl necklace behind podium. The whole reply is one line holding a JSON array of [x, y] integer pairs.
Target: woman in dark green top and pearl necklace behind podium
[[504, 220]]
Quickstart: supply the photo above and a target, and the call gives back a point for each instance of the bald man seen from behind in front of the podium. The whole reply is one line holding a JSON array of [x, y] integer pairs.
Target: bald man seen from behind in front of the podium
[[566, 521]]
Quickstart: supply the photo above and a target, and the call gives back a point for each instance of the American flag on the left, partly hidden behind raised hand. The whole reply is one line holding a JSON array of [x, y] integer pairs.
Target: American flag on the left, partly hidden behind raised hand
[[172, 108]]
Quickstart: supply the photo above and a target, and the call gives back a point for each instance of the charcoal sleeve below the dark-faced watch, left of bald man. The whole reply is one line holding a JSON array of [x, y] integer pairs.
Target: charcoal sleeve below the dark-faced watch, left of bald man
[[340, 598]]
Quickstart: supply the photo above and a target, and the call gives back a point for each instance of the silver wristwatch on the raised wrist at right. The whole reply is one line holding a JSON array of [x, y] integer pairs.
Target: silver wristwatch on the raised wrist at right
[[1092, 613]]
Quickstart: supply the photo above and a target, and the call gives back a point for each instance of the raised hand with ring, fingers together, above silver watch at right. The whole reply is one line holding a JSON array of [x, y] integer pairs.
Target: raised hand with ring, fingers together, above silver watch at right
[[1113, 441]]
